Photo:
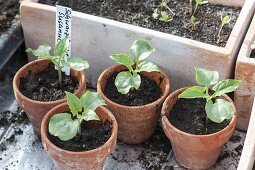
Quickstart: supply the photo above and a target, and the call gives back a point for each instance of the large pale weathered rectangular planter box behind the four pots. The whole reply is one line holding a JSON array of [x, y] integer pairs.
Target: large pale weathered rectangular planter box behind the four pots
[[95, 38]]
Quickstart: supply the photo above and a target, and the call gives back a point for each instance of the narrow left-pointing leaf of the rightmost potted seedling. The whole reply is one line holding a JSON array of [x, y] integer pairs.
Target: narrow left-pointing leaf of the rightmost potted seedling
[[193, 92]]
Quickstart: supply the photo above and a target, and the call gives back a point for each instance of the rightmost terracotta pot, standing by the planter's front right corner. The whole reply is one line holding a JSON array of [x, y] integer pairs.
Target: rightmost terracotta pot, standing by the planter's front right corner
[[195, 151]]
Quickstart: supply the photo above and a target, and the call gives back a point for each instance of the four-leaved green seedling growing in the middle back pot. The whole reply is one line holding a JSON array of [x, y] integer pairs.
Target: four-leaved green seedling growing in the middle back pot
[[126, 80]]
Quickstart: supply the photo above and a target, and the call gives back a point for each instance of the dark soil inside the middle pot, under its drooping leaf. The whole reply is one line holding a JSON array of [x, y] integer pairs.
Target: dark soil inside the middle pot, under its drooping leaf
[[148, 92]]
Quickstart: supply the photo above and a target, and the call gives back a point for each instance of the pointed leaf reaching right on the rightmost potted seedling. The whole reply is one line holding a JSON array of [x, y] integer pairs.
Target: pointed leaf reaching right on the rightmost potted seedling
[[226, 86]]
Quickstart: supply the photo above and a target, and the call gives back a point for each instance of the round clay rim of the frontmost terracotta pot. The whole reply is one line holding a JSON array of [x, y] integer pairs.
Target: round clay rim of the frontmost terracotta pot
[[44, 131]]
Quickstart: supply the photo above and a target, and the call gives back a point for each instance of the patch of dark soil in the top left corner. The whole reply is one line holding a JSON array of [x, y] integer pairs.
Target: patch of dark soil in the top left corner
[[8, 12]]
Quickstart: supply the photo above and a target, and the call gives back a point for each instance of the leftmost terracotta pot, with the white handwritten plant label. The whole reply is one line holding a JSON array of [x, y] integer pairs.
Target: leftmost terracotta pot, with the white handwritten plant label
[[35, 110]]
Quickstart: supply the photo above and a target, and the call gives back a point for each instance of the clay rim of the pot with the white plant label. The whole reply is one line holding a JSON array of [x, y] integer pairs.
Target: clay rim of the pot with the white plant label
[[18, 76]]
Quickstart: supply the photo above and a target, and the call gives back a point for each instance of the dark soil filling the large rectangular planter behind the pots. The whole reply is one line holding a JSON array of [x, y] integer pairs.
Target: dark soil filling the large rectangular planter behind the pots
[[140, 14]]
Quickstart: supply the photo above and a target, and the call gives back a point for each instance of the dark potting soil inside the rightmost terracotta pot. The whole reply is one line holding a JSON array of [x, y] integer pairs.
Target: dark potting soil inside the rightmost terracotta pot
[[189, 116]]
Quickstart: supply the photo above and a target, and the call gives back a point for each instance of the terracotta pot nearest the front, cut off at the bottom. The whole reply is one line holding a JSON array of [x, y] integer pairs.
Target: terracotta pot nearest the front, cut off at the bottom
[[87, 160]]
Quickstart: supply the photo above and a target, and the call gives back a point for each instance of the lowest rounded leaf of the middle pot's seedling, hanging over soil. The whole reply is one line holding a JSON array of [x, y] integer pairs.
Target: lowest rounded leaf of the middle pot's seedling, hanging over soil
[[125, 81]]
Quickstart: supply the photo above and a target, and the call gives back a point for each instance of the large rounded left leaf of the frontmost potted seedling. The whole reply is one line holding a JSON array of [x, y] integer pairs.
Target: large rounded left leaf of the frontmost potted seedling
[[62, 126]]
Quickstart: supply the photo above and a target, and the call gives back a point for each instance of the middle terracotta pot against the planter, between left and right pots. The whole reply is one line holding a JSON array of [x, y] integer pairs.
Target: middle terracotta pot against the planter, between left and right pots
[[136, 123]]
